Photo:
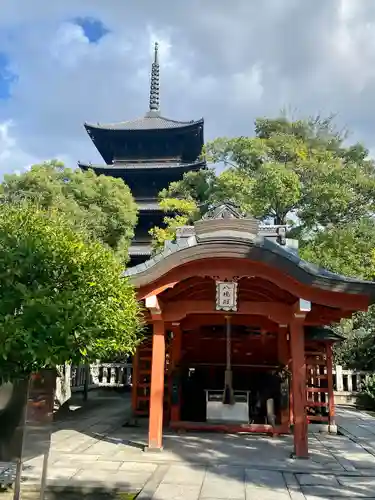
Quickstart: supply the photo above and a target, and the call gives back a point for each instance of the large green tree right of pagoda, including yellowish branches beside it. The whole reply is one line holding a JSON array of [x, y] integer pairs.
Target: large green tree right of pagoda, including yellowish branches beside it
[[297, 171]]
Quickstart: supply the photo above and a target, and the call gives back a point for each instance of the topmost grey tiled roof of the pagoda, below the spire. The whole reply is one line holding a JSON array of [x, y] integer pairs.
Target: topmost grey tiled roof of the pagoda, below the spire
[[151, 121]]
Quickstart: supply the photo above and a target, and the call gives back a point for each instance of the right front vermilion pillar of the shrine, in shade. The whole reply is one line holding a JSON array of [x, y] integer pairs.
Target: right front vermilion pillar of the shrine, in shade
[[297, 348]]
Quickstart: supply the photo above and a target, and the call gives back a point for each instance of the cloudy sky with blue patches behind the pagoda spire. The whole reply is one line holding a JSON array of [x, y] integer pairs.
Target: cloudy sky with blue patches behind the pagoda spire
[[66, 62]]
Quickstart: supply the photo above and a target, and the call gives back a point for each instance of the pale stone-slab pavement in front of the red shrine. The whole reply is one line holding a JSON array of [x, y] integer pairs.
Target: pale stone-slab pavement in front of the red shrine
[[95, 451]]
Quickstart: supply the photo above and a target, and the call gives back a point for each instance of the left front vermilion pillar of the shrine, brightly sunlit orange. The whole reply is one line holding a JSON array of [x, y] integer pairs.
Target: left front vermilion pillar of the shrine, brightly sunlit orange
[[155, 432]]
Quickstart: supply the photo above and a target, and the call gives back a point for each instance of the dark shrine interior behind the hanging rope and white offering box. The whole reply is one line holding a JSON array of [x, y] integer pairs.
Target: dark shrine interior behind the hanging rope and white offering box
[[254, 366]]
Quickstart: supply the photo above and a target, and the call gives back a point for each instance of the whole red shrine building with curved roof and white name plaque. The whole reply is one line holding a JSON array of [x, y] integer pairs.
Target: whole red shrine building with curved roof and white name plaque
[[236, 337]]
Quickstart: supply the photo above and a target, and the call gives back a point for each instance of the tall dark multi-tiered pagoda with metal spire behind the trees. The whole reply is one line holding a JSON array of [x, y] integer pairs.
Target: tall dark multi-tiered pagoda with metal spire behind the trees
[[148, 153]]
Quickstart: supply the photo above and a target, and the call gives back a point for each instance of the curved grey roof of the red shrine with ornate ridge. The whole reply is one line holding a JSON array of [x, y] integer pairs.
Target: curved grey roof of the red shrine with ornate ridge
[[230, 235]]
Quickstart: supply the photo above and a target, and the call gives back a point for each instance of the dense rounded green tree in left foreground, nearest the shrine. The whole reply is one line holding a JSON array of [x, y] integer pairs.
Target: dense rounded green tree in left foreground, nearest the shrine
[[62, 297]]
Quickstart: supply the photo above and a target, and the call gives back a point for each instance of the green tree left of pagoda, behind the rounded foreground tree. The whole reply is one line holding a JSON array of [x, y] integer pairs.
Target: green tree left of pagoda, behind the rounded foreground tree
[[102, 205]]
